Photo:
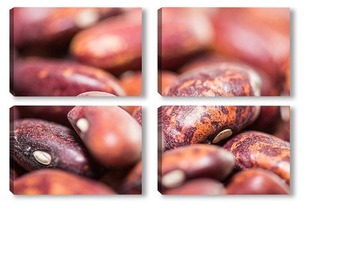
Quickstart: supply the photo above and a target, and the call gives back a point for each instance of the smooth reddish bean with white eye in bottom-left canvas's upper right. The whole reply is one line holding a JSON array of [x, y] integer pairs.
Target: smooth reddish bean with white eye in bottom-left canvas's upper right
[[112, 136]]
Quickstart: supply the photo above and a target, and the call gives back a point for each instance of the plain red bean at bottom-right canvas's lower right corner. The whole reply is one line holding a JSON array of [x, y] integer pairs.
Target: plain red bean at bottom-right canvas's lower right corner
[[256, 181]]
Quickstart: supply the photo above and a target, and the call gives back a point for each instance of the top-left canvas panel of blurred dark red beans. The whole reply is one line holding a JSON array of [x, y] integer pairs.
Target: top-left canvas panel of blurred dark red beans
[[68, 51]]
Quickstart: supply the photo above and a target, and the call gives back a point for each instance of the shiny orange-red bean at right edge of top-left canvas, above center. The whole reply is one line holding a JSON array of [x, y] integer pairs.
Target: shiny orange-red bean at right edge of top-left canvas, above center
[[114, 44]]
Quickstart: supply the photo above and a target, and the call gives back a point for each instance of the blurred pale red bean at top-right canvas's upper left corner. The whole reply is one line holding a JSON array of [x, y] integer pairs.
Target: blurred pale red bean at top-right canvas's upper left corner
[[182, 32]]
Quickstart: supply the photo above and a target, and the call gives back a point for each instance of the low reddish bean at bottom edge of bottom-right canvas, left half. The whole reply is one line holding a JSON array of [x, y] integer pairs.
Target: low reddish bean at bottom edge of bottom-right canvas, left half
[[199, 186]]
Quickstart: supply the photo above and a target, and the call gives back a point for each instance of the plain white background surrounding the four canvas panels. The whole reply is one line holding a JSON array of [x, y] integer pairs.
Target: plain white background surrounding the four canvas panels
[[313, 220]]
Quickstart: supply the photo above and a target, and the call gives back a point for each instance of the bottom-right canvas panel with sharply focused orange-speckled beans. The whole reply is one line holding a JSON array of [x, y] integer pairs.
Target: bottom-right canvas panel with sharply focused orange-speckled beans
[[224, 150]]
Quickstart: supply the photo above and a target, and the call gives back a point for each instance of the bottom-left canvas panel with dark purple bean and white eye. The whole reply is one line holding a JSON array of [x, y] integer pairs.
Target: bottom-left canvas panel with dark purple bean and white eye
[[99, 152]]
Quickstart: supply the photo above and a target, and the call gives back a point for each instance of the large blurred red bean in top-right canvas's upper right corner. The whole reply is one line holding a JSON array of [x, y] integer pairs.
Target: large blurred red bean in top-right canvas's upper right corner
[[258, 38]]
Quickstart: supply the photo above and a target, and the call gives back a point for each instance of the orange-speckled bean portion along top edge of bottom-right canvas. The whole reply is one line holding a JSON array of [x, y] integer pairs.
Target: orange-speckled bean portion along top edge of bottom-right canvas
[[185, 125]]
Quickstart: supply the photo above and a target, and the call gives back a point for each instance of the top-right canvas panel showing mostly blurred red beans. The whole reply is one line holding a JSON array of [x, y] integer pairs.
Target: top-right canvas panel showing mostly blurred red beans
[[223, 52]]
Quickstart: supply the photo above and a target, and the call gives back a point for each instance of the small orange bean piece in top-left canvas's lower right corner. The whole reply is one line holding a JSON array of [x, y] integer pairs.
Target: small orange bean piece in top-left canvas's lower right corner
[[131, 82]]
